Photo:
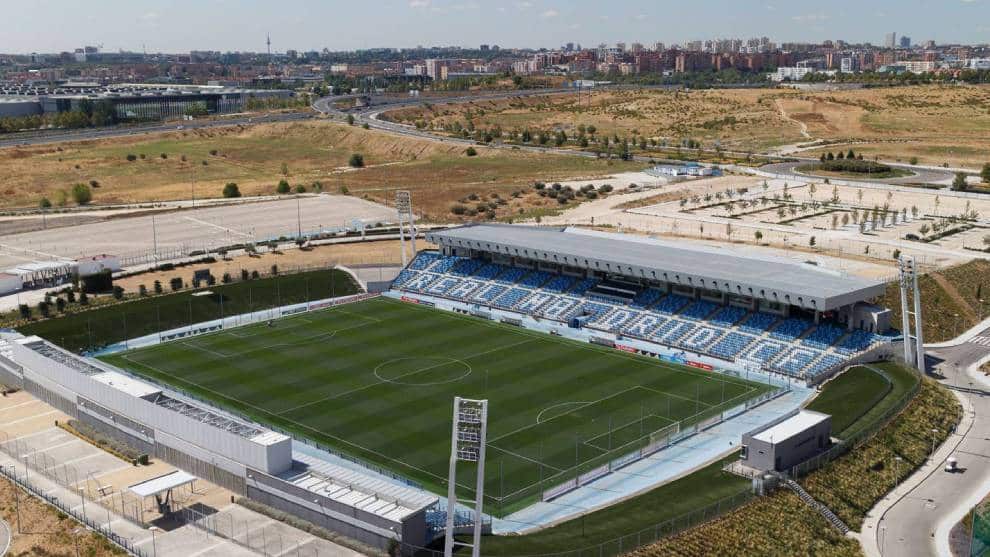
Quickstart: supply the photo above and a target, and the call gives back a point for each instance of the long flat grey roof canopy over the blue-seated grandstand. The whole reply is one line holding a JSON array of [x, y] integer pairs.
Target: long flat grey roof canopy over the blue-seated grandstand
[[771, 279]]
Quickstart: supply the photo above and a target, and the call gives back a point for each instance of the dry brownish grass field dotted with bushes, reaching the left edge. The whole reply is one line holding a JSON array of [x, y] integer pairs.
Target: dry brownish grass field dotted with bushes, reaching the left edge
[[254, 156]]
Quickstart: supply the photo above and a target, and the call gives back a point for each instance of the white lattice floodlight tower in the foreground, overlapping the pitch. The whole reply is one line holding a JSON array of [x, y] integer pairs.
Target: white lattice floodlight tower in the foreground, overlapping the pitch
[[467, 444]]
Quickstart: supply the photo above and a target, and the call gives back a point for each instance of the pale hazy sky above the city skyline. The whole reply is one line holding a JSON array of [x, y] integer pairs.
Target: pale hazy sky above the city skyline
[[182, 25]]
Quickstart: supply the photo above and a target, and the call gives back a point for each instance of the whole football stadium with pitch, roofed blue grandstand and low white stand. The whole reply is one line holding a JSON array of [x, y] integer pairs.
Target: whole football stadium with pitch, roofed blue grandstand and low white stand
[[604, 359]]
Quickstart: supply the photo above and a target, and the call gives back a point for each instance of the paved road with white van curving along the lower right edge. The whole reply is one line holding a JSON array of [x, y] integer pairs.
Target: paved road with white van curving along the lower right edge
[[909, 527]]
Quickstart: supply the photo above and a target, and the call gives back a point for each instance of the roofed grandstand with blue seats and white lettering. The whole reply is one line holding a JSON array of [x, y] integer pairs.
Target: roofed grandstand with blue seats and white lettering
[[786, 318]]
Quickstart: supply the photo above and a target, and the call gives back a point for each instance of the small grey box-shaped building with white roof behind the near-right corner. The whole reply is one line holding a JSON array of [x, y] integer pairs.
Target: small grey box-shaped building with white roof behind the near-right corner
[[787, 442]]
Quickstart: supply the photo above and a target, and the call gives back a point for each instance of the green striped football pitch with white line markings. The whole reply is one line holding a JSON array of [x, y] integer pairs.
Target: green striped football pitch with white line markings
[[376, 380]]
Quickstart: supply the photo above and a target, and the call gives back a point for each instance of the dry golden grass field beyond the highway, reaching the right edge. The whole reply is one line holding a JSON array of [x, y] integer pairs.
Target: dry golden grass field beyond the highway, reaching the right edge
[[936, 124]]
